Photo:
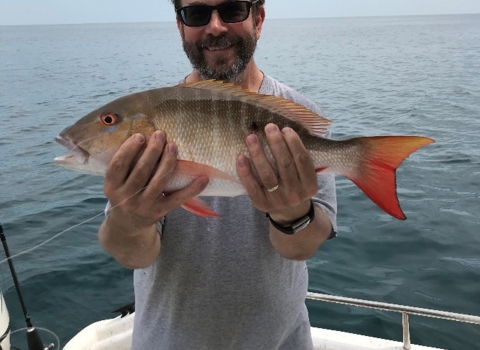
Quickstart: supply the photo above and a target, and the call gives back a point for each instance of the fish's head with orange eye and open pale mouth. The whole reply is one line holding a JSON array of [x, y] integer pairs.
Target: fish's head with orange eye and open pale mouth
[[94, 139]]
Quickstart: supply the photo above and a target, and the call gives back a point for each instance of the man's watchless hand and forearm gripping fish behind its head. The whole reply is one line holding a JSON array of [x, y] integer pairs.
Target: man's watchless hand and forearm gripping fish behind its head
[[134, 183]]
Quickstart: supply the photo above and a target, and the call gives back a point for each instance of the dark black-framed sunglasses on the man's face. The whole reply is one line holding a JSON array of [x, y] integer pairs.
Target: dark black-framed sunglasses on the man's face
[[229, 12]]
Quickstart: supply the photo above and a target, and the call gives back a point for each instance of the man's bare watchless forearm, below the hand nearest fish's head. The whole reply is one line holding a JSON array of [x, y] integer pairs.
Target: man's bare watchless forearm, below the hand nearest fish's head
[[132, 247]]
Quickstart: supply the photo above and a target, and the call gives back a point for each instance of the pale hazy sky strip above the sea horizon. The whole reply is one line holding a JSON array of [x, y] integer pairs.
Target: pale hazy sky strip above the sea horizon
[[14, 12]]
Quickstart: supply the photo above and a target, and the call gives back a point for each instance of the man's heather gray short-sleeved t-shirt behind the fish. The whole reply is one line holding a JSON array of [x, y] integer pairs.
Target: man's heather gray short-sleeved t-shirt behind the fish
[[218, 284]]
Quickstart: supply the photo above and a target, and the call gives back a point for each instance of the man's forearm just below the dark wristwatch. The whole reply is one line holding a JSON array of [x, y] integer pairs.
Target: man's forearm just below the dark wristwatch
[[303, 244]]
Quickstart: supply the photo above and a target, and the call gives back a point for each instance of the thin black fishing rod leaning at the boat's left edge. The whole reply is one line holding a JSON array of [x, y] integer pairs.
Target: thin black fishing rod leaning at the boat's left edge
[[34, 340]]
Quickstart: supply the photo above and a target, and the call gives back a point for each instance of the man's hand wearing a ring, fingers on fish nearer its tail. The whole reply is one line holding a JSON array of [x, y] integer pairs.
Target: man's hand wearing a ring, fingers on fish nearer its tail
[[296, 179]]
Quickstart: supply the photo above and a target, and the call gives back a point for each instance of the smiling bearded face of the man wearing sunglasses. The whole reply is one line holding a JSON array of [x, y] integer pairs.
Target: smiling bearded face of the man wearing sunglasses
[[220, 50]]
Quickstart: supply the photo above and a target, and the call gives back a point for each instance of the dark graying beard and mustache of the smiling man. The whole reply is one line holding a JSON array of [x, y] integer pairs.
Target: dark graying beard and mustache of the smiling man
[[221, 68]]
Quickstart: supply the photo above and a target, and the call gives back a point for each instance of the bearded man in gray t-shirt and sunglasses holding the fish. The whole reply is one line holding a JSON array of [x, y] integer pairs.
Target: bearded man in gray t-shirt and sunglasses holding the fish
[[238, 281]]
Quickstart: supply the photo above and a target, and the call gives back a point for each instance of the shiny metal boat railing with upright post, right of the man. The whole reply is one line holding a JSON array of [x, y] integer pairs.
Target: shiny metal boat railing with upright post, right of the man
[[404, 310]]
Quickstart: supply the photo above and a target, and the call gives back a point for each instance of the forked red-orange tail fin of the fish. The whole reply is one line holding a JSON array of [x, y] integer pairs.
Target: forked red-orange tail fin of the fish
[[375, 176]]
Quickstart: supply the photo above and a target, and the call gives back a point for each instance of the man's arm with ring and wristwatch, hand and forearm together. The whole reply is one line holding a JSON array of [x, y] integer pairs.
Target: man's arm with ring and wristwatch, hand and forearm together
[[297, 184]]
